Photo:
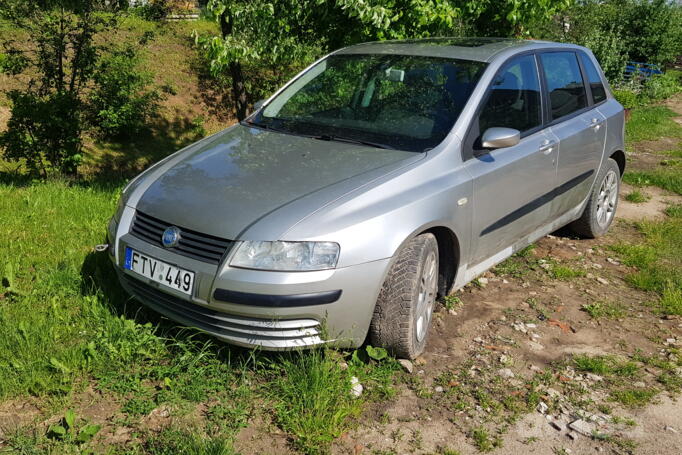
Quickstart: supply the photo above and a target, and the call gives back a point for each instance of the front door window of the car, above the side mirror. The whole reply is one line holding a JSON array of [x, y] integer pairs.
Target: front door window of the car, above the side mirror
[[514, 100]]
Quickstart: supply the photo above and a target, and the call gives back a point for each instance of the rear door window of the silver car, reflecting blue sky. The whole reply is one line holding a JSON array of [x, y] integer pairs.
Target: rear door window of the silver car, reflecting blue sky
[[564, 83]]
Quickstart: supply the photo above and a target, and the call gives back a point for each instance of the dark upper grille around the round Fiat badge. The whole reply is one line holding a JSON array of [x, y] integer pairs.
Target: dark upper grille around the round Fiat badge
[[192, 244]]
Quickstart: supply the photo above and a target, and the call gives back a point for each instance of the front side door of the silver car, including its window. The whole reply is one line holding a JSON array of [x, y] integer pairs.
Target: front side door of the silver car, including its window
[[513, 185]]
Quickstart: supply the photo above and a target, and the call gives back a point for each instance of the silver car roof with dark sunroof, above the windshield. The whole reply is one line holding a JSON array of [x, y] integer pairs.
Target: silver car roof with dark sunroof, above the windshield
[[465, 48]]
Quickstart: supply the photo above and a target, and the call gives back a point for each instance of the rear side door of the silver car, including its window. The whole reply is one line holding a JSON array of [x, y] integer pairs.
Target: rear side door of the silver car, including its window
[[579, 127]]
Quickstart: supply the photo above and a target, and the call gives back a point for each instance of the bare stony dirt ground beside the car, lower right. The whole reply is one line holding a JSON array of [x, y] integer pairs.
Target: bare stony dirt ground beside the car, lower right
[[526, 322]]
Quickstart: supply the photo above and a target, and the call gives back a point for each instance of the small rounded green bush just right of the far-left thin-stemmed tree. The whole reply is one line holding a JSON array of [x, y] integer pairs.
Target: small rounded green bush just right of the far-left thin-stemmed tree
[[122, 100]]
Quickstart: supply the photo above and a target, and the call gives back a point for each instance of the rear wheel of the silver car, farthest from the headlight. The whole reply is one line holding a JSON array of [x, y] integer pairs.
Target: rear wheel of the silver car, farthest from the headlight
[[602, 203]]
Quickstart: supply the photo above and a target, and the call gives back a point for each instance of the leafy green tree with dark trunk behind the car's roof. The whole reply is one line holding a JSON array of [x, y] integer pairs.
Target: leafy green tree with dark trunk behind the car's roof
[[267, 33]]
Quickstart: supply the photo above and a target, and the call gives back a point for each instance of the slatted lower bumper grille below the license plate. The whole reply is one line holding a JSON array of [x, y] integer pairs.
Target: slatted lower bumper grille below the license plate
[[277, 333]]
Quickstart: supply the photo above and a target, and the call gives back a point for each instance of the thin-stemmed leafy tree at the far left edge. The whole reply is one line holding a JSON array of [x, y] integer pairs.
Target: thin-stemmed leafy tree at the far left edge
[[46, 121]]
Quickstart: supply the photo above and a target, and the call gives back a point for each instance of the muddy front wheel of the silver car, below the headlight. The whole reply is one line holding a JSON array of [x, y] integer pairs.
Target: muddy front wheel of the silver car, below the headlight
[[403, 311]]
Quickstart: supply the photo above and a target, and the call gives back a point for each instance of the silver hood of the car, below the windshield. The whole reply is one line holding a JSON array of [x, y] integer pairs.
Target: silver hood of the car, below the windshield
[[237, 177]]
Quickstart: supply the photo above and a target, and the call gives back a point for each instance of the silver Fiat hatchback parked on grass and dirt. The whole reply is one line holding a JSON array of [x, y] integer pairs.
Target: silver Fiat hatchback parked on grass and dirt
[[382, 176]]
